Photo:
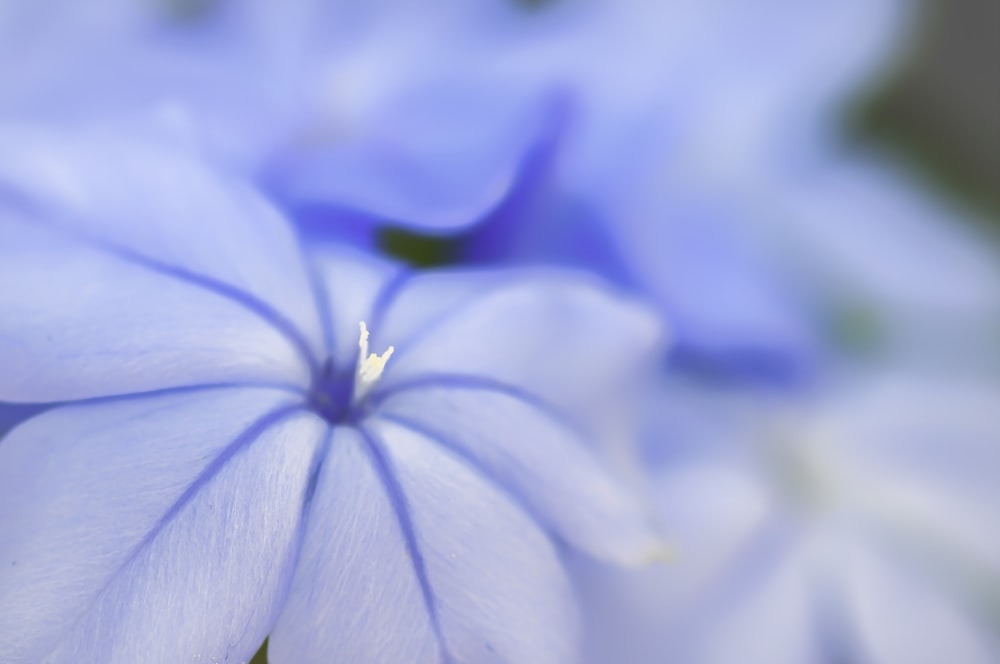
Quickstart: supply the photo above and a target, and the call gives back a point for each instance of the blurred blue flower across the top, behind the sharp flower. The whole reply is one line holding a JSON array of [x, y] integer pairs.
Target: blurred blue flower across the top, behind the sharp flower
[[602, 134]]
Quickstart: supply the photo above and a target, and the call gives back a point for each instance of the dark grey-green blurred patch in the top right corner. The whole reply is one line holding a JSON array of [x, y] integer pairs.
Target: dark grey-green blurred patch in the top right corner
[[939, 112]]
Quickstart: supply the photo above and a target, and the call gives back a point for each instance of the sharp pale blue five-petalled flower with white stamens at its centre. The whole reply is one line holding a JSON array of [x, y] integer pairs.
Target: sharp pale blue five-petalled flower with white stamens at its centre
[[226, 460]]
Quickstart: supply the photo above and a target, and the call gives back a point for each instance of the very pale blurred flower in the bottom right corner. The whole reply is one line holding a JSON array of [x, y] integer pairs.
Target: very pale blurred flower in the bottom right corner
[[856, 524]]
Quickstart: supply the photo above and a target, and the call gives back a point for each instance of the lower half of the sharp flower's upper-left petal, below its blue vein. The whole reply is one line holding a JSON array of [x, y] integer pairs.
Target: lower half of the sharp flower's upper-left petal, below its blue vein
[[80, 322]]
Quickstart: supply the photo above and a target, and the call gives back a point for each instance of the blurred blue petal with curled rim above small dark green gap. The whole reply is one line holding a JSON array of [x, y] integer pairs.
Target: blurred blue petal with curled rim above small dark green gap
[[438, 158]]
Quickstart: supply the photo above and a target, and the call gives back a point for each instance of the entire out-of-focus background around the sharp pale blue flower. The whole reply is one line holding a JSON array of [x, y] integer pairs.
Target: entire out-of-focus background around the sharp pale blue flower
[[809, 193]]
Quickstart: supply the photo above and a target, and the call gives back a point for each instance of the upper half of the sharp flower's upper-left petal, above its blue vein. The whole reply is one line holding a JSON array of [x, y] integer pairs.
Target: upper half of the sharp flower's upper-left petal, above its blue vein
[[163, 207]]
